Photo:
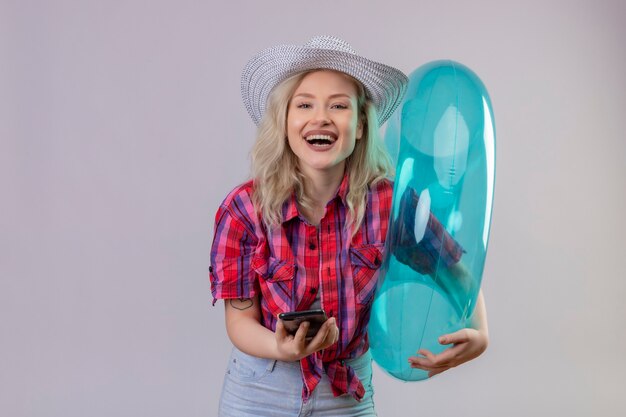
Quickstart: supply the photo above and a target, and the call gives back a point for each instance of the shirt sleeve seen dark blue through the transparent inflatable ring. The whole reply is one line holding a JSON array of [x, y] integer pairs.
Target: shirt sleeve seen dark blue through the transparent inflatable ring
[[435, 248]]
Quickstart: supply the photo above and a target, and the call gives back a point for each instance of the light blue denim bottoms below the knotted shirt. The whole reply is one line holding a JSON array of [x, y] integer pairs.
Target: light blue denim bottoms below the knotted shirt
[[265, 387]]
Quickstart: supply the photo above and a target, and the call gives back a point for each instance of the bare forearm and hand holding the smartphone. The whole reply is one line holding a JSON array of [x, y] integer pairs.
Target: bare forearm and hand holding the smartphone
[[244, 328]]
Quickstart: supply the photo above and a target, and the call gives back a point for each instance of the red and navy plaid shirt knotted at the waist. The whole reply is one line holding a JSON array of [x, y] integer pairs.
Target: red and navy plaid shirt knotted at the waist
[[288, 266]]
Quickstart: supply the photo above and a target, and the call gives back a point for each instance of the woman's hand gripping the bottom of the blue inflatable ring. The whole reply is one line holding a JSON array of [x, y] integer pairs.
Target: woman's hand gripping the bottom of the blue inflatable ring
[[467, 344]]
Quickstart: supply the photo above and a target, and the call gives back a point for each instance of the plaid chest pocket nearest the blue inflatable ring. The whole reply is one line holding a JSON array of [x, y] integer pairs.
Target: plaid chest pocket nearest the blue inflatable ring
[[365, 261]]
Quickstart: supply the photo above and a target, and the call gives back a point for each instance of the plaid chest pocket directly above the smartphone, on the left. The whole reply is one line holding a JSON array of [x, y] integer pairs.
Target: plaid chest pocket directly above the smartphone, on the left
[[277, 277]]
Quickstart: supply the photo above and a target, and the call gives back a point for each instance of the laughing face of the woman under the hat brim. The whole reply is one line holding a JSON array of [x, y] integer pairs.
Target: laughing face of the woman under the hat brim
[[322, 122]]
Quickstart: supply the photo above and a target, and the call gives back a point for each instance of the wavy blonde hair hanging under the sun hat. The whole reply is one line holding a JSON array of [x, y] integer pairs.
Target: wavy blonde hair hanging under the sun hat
[[275, 167]]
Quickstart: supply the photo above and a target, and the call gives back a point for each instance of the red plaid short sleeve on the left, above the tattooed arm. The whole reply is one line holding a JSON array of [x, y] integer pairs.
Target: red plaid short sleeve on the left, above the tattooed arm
[[231, 273]]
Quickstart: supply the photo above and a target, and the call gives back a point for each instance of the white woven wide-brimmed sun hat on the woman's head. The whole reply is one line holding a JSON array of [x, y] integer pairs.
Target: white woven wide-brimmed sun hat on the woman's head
[[384, 85]]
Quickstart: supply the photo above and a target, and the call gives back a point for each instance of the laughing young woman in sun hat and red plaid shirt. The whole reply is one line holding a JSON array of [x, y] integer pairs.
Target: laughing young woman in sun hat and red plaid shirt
[[307, 232]]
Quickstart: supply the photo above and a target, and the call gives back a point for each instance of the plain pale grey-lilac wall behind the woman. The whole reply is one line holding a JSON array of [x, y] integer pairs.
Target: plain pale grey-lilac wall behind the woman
[[122, 129]]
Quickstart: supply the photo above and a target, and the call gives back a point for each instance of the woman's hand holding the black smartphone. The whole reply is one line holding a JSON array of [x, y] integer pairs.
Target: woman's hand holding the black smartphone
[[295, 347]]
